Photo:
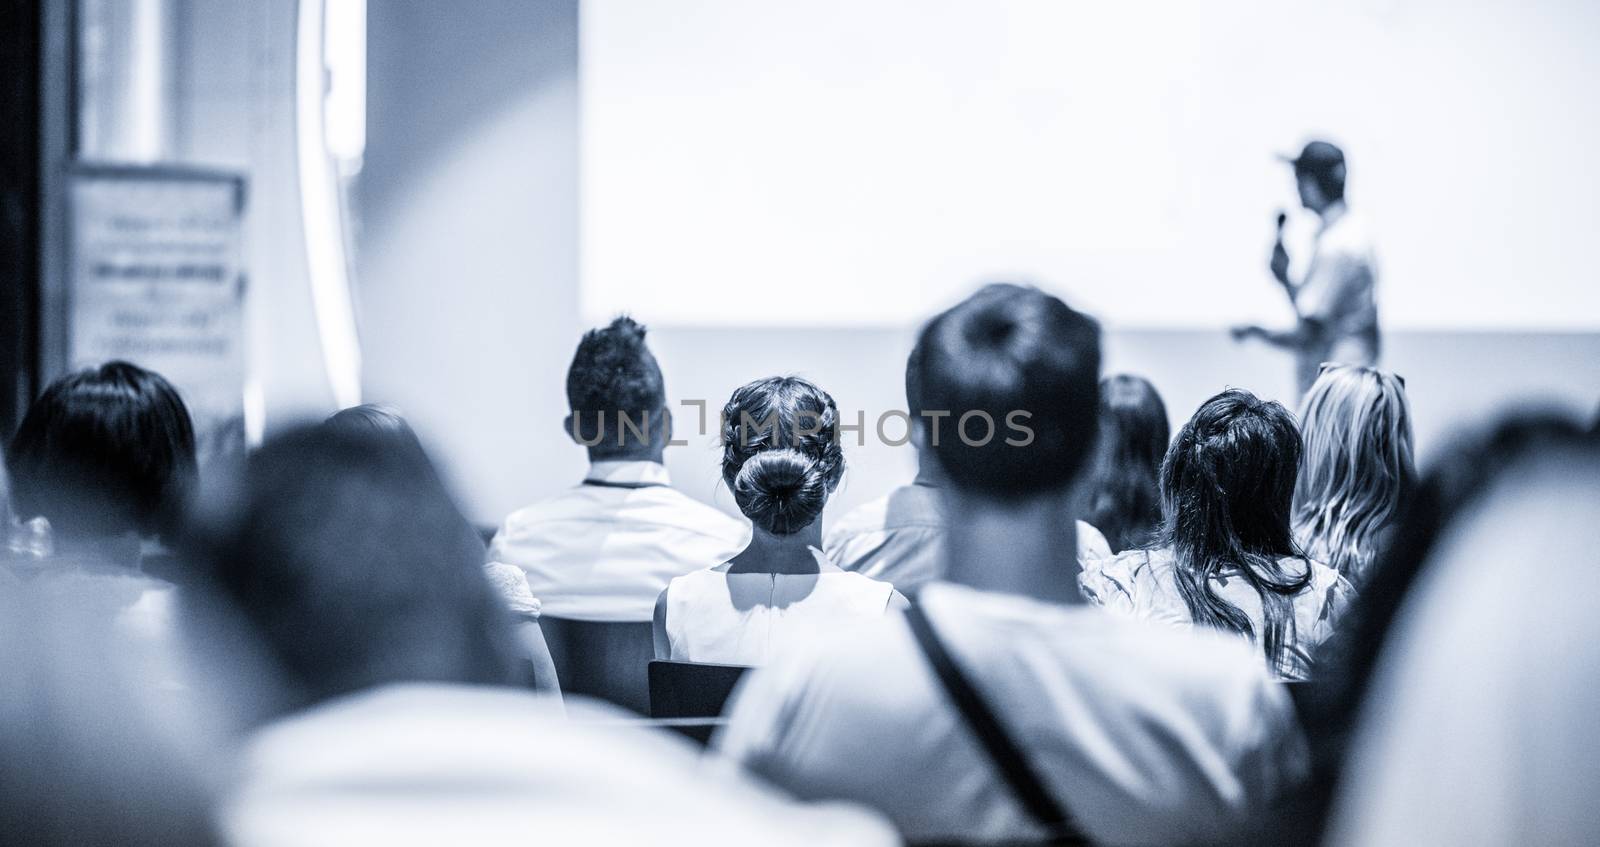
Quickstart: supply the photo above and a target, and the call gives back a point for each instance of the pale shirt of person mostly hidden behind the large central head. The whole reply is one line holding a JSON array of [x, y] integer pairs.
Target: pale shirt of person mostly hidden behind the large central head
[[900, 539]]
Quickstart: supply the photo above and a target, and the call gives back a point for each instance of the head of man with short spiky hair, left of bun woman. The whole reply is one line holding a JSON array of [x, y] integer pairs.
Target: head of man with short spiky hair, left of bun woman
[[617, 396]]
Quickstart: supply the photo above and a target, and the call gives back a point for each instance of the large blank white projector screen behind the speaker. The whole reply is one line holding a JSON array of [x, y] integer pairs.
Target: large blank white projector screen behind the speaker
[[866, 163]]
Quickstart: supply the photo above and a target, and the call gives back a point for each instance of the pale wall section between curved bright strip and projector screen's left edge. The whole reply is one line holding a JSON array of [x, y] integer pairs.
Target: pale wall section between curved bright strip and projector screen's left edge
[[468, 243]]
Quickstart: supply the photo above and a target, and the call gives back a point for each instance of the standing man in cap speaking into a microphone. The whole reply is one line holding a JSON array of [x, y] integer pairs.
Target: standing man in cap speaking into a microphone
[[1335, 300]]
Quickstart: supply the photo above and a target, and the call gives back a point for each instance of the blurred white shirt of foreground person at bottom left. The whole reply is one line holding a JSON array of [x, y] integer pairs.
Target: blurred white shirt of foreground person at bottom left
[[458, 765]]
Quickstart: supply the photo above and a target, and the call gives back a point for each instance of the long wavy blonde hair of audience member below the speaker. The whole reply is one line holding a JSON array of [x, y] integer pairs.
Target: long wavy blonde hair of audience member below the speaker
[[1356, 423]]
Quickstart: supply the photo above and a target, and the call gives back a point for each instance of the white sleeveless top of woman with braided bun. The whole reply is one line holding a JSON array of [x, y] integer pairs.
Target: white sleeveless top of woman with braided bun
[[740, 619]]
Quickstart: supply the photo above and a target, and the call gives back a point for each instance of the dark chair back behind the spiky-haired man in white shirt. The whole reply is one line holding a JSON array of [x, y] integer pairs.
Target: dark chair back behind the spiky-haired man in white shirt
[[602, 659]]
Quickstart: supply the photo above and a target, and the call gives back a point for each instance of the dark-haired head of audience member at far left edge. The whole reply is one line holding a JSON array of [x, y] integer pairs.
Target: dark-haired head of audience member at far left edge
[[105, 452]]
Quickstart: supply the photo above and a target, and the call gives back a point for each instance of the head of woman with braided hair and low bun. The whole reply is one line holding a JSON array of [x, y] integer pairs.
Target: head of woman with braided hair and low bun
[[782, 456]]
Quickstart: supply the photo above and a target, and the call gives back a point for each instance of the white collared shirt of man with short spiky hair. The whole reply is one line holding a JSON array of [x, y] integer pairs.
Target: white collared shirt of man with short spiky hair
[[604, 553]]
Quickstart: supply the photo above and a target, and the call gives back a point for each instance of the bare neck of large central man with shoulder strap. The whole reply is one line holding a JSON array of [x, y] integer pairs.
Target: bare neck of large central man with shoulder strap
[[1025, 547]]
